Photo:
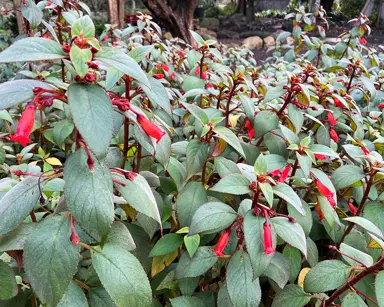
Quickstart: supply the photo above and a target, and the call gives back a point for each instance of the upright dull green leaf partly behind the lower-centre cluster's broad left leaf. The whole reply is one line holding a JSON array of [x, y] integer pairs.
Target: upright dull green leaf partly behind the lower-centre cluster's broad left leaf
[[190, 198]]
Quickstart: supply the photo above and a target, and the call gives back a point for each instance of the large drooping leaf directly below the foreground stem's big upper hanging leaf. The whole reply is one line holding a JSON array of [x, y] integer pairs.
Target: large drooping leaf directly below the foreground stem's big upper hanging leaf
[[89, 196]]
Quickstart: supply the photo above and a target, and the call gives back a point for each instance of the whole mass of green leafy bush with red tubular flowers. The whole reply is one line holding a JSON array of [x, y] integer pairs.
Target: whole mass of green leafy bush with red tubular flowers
[[138, 172]]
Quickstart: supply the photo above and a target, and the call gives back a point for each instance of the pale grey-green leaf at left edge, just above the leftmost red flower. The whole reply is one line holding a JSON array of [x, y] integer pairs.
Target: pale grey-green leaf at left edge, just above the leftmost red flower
[[18, 91]]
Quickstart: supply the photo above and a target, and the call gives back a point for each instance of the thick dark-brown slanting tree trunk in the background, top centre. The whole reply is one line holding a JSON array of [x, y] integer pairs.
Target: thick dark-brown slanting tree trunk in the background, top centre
[[176, 15]]
